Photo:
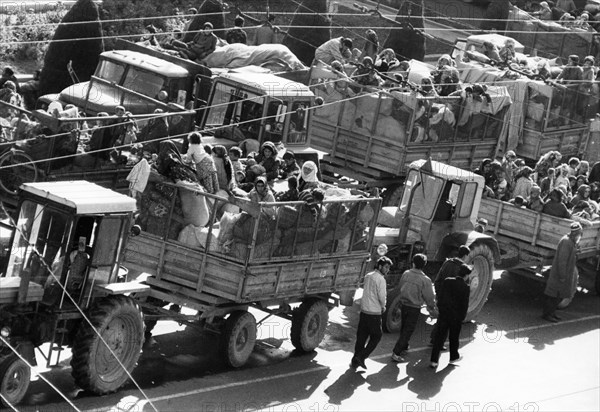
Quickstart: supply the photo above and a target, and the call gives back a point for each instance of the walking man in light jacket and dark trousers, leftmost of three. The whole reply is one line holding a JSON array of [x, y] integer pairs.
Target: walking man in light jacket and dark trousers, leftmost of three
[[372, 306]]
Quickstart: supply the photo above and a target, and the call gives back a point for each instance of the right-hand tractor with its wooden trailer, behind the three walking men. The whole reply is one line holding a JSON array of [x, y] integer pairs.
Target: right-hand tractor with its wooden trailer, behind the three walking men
[[437, 214]]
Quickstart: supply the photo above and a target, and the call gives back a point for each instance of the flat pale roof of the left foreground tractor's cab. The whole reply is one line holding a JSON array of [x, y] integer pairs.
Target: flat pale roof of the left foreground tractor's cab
[[85, 197]]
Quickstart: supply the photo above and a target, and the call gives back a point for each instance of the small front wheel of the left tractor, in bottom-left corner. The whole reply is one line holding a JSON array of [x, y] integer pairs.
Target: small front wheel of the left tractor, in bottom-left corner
[[15, 376]]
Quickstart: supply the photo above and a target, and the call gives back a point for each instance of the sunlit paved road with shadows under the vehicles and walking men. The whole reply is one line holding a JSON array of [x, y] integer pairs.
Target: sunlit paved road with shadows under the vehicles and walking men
[[513, 361]]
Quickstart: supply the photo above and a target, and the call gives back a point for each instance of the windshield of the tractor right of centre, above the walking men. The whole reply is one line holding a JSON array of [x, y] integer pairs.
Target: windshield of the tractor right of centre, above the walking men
[[424, 200]]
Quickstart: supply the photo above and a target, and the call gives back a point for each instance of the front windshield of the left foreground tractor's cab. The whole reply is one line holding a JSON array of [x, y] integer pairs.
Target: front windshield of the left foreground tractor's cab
[[45, 229]]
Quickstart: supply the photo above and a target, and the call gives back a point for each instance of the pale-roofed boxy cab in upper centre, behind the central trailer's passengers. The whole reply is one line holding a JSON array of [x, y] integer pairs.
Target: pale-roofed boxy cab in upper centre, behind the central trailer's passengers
[[260, 106]]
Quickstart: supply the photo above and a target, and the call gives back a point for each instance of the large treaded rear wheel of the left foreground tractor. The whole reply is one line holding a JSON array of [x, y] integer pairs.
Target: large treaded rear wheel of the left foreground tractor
[[119, 320]]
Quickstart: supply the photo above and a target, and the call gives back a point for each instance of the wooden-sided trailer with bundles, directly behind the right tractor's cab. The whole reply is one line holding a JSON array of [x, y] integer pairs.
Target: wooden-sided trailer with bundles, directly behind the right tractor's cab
[[372, 137]]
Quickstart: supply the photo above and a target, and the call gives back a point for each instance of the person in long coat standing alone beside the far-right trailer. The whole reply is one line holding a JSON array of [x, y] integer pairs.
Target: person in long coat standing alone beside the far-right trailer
[[562, 282]]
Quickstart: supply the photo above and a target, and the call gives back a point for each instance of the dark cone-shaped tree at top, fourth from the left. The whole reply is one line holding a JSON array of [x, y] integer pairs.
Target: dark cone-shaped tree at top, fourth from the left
[[408, 40]]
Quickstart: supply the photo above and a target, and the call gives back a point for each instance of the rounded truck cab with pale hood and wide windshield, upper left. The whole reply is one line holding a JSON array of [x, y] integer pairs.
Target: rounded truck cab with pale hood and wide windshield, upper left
[[138, 78]]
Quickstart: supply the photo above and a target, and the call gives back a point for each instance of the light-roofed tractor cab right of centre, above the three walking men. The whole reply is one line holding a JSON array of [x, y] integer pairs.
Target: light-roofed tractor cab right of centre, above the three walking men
[[438, 199]]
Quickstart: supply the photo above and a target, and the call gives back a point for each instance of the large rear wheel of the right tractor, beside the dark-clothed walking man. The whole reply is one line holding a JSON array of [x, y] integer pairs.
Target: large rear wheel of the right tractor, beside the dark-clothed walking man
[[480, 279]]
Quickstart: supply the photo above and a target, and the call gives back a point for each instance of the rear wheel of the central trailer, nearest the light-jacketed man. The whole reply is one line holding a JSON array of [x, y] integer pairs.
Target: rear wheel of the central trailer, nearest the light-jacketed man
[[309, 322]]
